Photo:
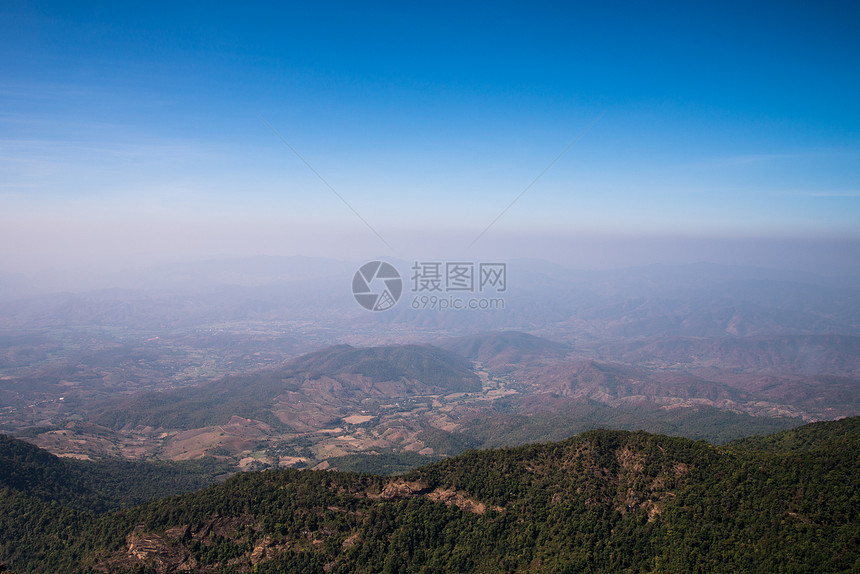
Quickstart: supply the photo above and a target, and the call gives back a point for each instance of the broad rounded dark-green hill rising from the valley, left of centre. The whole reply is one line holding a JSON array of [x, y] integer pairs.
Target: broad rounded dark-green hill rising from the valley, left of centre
[[329, 379]]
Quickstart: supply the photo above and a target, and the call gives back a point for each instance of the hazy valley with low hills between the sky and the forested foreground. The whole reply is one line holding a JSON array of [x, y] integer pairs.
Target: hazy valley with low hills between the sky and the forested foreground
[[289, 374]]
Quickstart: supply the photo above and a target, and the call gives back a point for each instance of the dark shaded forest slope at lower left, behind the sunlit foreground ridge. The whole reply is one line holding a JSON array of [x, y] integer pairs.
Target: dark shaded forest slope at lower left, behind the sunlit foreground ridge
[[45, 500]]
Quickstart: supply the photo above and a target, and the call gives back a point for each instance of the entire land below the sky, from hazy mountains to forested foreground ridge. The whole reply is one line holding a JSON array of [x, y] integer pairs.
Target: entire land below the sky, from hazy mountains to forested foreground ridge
[[675, 418]]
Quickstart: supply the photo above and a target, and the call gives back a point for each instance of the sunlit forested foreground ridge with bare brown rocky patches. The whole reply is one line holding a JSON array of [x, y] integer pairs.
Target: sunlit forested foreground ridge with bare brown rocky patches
[[603, 501]]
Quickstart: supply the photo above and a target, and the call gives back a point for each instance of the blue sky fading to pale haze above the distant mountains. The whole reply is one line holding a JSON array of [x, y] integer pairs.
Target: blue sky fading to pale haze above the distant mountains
[[139, 131]]
